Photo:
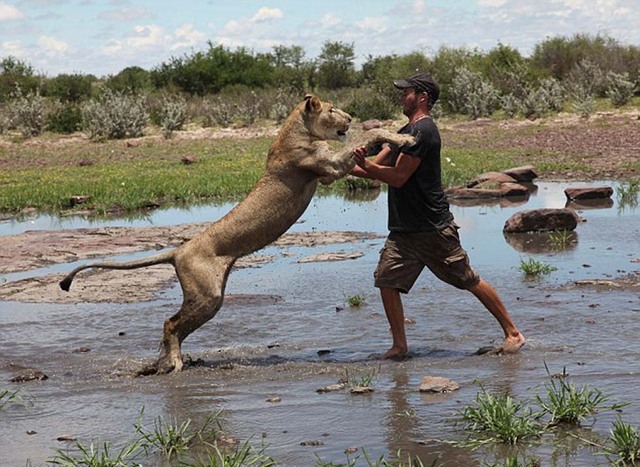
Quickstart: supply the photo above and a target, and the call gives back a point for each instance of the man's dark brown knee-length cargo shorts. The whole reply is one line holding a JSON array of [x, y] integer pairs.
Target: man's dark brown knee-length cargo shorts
[[405, 254]]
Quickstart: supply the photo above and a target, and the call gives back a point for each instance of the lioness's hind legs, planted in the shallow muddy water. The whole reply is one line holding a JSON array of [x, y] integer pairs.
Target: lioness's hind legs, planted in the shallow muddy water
[[203, 283]]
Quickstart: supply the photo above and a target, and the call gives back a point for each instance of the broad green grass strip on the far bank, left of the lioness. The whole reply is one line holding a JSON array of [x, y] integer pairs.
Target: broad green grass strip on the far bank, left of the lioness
[[133, 178]]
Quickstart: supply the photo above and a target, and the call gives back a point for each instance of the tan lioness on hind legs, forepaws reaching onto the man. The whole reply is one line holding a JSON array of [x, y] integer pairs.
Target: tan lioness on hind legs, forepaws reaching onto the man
[[298, 159]]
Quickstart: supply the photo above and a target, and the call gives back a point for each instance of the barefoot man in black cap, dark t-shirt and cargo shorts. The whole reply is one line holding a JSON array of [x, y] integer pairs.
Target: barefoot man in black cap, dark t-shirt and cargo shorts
[[422, 229]]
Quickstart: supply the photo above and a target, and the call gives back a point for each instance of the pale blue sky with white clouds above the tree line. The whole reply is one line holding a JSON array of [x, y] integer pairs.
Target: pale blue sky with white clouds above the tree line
[[104, 37]]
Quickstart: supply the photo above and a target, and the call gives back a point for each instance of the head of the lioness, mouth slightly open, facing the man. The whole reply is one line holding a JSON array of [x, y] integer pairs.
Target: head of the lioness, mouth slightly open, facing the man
[[323, 120]]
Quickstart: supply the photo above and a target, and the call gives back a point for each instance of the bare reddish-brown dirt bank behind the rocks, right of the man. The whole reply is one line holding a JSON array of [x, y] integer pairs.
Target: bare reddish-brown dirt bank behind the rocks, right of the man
[[607, 145]]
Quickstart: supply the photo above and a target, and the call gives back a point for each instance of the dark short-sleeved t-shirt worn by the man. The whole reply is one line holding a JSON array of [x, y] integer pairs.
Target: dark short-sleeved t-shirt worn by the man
[[420, 204]]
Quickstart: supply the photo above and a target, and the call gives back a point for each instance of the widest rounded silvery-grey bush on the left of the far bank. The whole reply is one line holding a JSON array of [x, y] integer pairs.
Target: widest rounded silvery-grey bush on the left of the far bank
[[114, 115]]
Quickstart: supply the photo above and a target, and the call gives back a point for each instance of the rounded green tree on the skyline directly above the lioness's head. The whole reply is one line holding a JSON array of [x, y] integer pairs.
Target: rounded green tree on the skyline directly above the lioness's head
[[336, 67]]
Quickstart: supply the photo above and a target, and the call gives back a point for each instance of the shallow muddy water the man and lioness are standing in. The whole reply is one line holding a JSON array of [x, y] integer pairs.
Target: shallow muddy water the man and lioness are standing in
[[287, 332]]
